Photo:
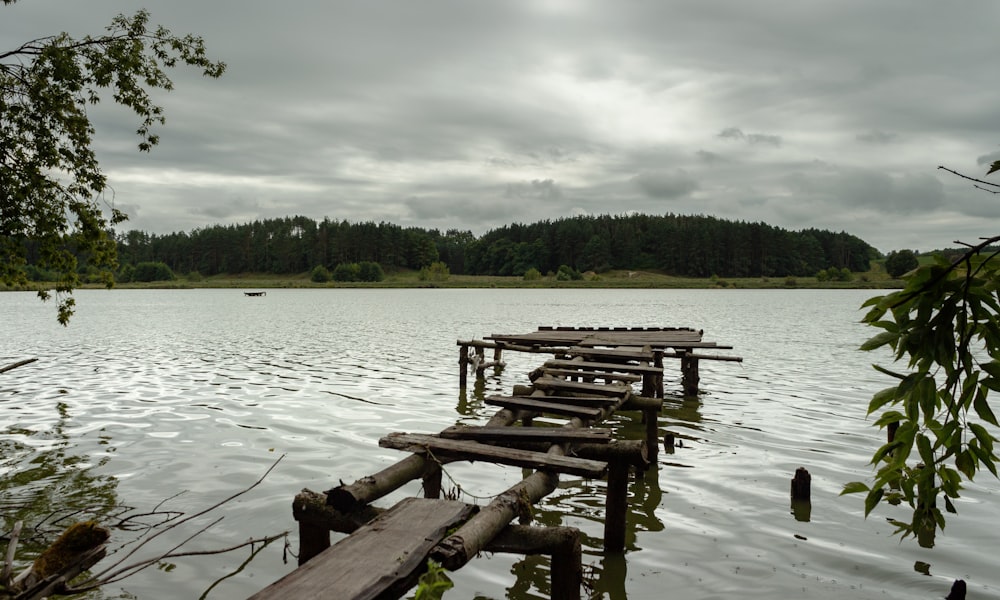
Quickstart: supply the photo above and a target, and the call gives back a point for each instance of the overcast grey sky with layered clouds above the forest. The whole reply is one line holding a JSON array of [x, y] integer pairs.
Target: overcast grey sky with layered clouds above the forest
[[472, 114]]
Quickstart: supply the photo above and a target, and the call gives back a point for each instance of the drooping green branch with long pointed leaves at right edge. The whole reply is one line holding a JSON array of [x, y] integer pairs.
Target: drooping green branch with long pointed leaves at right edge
[[944, 324]]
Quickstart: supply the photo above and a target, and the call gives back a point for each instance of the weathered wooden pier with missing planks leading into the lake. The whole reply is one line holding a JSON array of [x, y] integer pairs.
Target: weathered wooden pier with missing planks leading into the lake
[[589, 378]]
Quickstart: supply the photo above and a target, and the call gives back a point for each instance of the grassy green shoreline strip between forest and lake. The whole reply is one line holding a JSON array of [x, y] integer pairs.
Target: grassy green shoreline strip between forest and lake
[[611, 279]]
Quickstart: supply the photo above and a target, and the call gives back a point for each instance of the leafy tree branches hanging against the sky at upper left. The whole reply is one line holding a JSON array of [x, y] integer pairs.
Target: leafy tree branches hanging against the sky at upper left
[[52, 188]]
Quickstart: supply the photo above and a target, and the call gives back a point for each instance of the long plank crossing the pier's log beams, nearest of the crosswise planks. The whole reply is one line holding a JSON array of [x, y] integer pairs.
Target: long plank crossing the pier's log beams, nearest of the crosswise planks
[[469, 450]]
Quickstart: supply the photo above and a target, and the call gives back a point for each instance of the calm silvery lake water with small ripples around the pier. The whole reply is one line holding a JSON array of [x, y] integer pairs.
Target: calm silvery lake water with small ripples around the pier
[[149, 393]]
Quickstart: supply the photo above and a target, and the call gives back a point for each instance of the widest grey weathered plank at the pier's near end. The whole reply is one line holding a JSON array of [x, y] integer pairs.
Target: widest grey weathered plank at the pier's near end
[[382, 559]]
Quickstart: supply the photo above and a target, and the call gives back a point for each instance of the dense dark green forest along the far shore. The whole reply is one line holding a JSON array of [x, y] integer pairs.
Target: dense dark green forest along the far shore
[[690, 246]]
